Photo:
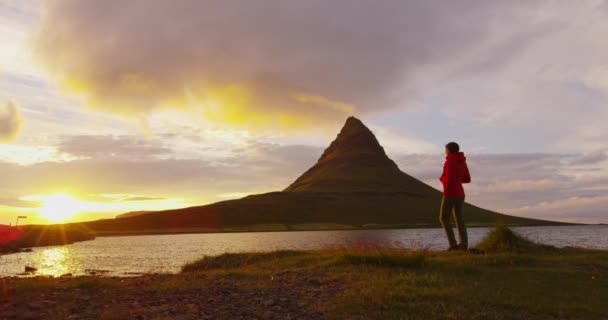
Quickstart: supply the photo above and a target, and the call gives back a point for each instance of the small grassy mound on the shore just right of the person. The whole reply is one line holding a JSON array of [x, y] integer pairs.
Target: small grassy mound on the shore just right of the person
[[504, 240]]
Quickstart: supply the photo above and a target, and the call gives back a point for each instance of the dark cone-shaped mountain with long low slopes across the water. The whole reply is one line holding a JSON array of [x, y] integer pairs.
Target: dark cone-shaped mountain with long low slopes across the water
[[353, 185]]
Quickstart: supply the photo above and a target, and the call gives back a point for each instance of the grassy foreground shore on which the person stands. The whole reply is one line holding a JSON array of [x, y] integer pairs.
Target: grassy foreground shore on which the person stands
[[513, 279]]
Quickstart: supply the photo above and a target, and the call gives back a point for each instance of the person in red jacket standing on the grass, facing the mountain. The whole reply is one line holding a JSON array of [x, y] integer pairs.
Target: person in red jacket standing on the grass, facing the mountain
[[455, 173]]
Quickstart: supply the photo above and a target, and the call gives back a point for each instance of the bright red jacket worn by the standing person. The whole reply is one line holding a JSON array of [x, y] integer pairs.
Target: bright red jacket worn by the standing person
[[455, 173]]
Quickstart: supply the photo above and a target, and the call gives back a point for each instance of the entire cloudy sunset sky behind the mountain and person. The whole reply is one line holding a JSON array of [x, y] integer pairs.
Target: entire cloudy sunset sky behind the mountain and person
[[114, 106]]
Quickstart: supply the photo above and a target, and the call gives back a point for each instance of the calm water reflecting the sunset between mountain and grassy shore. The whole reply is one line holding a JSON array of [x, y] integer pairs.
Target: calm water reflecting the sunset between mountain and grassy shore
[[125, 256]]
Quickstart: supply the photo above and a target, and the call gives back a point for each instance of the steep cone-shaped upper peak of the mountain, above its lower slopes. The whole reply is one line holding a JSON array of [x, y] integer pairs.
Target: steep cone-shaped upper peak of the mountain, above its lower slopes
[[355, 161]]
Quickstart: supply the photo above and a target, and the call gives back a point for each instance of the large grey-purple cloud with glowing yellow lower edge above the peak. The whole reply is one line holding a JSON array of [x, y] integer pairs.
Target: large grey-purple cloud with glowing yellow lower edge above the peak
[[270, 63]]
